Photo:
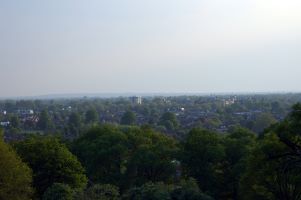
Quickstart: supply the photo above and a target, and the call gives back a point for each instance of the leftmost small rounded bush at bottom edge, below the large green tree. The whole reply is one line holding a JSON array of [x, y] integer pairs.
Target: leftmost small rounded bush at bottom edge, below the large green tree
[[58, 191]]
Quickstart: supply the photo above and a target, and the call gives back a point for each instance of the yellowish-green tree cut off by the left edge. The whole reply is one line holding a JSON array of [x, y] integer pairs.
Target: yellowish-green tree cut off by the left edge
[[15, 176]]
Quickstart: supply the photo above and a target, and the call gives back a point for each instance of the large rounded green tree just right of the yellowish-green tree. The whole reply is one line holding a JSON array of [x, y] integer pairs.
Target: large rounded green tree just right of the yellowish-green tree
[[51, 163]]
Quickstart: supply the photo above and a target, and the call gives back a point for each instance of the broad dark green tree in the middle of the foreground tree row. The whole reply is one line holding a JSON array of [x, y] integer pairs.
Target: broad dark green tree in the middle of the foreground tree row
[[151, 158]]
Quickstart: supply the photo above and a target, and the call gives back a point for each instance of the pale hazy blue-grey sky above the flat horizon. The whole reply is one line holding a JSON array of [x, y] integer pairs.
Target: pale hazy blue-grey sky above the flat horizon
[[97, 46]]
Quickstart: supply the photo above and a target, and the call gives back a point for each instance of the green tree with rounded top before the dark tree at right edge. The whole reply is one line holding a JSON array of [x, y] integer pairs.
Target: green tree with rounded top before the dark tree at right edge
[[263, 173]]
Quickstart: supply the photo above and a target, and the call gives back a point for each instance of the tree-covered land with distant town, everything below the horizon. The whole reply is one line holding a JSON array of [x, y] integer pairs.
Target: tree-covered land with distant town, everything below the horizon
[[173, 148]]
